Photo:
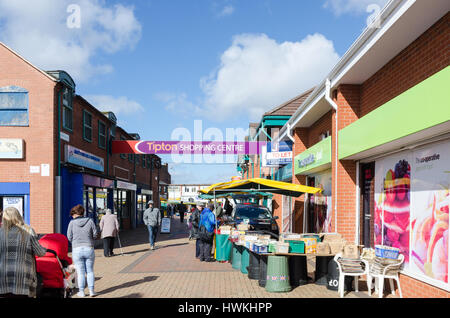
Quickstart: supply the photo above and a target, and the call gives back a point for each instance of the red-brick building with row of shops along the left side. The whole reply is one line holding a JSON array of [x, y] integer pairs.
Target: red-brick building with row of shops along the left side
[[55, 152]]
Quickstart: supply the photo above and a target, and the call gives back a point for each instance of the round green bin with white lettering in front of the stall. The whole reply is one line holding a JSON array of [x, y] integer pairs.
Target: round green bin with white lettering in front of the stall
[[278, 274]]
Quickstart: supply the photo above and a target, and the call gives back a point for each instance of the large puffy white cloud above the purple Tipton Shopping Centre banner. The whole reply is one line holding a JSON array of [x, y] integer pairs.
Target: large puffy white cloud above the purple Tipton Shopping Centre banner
[[257, 73]]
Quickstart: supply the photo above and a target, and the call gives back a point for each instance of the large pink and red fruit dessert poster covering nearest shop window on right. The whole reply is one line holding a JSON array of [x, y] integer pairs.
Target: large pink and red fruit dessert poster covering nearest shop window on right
[[412, 209]]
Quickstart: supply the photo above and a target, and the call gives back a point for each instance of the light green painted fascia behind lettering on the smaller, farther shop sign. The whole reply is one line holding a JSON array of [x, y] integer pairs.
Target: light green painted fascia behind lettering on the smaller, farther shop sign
[[322, 156]]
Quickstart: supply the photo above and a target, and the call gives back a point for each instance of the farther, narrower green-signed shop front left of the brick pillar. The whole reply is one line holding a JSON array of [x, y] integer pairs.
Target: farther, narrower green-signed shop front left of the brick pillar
[[315, 164]]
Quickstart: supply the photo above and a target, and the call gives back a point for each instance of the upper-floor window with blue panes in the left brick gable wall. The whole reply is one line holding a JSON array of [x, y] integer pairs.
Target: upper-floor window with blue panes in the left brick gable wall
[[13, 106]]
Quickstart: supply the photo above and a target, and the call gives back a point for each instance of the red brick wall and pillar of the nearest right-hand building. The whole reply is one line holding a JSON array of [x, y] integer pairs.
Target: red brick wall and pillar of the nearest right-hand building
[[424, 57]]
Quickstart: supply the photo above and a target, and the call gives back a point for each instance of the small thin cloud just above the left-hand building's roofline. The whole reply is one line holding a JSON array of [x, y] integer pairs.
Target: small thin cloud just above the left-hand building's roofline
[[117, 105]]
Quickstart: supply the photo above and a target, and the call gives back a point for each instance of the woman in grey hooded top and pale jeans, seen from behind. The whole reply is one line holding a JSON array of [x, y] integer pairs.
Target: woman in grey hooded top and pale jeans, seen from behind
[[82, 233]]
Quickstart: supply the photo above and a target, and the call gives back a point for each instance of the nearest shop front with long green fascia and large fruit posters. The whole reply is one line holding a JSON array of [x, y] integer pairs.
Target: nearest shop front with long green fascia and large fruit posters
[[404, 178]]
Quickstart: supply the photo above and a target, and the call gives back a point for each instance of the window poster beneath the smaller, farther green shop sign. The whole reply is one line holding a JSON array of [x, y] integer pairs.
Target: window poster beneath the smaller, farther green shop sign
[[322, 203]]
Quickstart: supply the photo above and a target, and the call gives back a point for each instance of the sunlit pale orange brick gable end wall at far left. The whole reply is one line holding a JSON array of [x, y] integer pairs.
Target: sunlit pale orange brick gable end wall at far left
[[38, 137]]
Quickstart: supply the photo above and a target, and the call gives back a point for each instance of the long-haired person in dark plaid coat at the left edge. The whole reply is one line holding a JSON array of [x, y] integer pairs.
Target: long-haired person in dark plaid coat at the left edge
[[18, 247]]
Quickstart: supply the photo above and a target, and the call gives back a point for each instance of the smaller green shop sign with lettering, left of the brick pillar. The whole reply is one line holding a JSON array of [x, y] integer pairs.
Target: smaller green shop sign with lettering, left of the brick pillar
[[317, 157]]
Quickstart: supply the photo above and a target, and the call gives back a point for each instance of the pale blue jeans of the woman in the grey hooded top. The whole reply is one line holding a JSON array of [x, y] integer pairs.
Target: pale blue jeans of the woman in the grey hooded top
[[83, 258]]
